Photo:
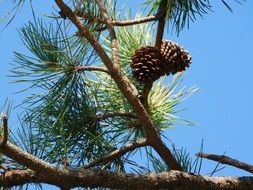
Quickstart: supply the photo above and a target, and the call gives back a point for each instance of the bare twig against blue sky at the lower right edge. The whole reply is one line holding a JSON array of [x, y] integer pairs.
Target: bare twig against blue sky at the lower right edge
[[227, 160]]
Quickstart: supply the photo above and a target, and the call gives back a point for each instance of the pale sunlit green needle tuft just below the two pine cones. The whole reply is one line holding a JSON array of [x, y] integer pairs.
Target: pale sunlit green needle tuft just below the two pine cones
[[163, 99]]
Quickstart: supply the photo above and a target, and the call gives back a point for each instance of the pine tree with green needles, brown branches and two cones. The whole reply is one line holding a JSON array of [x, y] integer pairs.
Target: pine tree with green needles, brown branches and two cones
[[103, 97]]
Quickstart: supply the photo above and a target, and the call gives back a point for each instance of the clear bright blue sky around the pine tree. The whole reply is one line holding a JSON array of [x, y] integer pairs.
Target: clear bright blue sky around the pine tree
[[222, 52]]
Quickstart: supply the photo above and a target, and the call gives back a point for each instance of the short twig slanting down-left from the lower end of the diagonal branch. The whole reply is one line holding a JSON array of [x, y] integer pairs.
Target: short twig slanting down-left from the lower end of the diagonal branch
[[117, 153]]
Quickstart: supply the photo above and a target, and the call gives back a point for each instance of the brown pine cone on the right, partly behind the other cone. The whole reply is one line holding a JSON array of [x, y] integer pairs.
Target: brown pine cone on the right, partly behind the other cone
[[176, 58]]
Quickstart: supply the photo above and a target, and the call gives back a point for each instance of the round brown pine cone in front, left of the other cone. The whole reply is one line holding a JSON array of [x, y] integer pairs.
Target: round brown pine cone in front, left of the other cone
[[146, 64]]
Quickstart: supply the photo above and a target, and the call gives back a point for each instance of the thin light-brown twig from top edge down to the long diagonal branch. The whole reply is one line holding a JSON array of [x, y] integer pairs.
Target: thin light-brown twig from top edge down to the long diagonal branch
[[112, 33]]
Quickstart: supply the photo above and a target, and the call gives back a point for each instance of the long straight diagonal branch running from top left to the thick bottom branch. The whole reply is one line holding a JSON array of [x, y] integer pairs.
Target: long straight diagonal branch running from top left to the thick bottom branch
[[126, 88]]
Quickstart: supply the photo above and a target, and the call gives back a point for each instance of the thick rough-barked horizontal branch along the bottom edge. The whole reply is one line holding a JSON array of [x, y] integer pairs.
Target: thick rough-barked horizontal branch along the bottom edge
[[173, 180]]
